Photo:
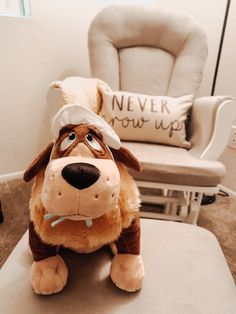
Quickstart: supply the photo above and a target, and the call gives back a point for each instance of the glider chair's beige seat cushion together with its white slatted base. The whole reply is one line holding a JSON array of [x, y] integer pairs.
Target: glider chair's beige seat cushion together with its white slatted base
[[173, 177]]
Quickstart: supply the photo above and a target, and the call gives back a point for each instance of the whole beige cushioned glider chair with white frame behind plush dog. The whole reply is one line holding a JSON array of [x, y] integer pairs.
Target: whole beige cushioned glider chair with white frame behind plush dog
[[159, 51]]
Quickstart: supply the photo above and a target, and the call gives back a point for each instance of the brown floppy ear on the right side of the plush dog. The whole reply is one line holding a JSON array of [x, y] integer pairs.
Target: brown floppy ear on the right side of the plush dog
[[126, 157]]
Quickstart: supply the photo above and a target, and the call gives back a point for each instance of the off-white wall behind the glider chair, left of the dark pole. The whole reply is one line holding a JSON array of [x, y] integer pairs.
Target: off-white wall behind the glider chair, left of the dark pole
[[52, 45]]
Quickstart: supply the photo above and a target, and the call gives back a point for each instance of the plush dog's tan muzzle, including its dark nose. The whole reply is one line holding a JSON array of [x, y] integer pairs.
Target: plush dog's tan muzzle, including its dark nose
[[80, 188]]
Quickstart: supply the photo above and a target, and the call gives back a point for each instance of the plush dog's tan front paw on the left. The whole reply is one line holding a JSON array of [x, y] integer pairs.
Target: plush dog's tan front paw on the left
[[49, 275]]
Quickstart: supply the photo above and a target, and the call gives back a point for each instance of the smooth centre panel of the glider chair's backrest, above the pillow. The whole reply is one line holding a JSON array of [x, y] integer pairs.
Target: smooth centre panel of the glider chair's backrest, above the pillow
[[151, 76]]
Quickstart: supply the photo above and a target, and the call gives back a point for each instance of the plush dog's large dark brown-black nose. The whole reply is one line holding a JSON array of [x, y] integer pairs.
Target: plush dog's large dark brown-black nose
[[80, 174]]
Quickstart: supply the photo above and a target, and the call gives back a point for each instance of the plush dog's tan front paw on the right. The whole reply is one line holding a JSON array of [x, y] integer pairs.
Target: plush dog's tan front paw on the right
[[127, 271]]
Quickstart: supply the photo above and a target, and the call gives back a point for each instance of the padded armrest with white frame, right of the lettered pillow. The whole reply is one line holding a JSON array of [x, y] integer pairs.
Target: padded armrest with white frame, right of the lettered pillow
[[211, 122]]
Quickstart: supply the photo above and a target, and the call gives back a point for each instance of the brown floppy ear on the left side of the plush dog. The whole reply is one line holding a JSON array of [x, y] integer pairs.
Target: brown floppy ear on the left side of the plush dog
[[39, 163]]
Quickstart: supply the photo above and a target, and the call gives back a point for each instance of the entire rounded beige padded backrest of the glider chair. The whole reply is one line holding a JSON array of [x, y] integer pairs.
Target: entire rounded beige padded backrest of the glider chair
[[149, 50]]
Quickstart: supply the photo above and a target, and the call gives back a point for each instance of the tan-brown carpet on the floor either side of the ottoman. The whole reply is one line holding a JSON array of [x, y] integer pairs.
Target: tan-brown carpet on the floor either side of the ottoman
[[219, 217]]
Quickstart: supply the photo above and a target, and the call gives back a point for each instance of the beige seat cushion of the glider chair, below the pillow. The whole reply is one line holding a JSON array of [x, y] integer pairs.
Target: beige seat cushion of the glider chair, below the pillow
[[173, 165]]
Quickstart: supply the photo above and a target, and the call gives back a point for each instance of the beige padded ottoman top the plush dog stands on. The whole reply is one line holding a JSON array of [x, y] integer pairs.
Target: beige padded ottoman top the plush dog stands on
[[186, 272]]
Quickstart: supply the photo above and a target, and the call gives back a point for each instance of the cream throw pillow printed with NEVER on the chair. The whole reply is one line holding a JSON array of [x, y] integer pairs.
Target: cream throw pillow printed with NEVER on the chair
[[145, 118]]
